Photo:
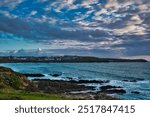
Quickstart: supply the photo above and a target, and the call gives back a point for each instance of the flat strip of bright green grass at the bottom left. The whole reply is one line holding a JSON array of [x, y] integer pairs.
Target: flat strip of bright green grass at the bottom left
[[11, 94]]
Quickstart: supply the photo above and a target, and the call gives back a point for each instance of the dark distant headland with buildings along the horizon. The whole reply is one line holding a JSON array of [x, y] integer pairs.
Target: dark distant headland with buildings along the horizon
[[63, 59]]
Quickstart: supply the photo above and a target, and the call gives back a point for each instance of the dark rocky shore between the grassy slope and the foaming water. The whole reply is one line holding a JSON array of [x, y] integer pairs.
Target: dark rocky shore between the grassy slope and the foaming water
[[66, 89]]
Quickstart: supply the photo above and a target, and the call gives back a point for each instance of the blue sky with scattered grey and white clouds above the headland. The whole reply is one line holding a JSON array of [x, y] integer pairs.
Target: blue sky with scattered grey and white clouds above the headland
[[103, 28]]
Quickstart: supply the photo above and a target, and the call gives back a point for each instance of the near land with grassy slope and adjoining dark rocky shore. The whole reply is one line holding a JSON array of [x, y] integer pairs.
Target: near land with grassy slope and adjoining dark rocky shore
[[14, 85]]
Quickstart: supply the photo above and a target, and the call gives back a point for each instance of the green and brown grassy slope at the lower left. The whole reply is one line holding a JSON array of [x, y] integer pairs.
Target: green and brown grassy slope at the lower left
[[12, 86]]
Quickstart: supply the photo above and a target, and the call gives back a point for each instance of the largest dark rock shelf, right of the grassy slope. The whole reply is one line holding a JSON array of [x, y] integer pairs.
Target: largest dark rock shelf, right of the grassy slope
[[59, 86]]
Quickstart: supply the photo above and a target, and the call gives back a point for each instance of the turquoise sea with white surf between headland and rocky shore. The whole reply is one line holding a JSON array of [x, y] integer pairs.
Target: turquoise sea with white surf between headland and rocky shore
[[115, 72]]
